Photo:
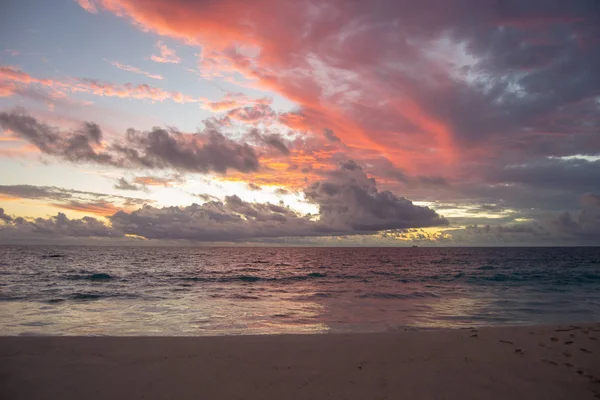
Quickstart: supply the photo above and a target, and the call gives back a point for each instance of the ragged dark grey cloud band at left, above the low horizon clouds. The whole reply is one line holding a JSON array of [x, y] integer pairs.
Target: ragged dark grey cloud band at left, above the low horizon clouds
[[208, 151]]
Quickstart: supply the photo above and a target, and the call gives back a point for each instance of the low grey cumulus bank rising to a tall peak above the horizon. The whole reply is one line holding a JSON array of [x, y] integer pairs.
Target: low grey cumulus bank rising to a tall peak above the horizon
[[349, 204]]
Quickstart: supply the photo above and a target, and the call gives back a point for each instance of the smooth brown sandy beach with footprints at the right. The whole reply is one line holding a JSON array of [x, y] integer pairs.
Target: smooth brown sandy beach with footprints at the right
[[552, 362]]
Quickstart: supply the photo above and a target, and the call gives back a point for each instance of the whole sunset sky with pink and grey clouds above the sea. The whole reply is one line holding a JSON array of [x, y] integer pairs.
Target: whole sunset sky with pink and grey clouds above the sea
[[304, 122]]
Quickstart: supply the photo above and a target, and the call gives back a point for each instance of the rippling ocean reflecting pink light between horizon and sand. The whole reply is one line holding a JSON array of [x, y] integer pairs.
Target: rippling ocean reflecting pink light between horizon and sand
[[75, 290]]
